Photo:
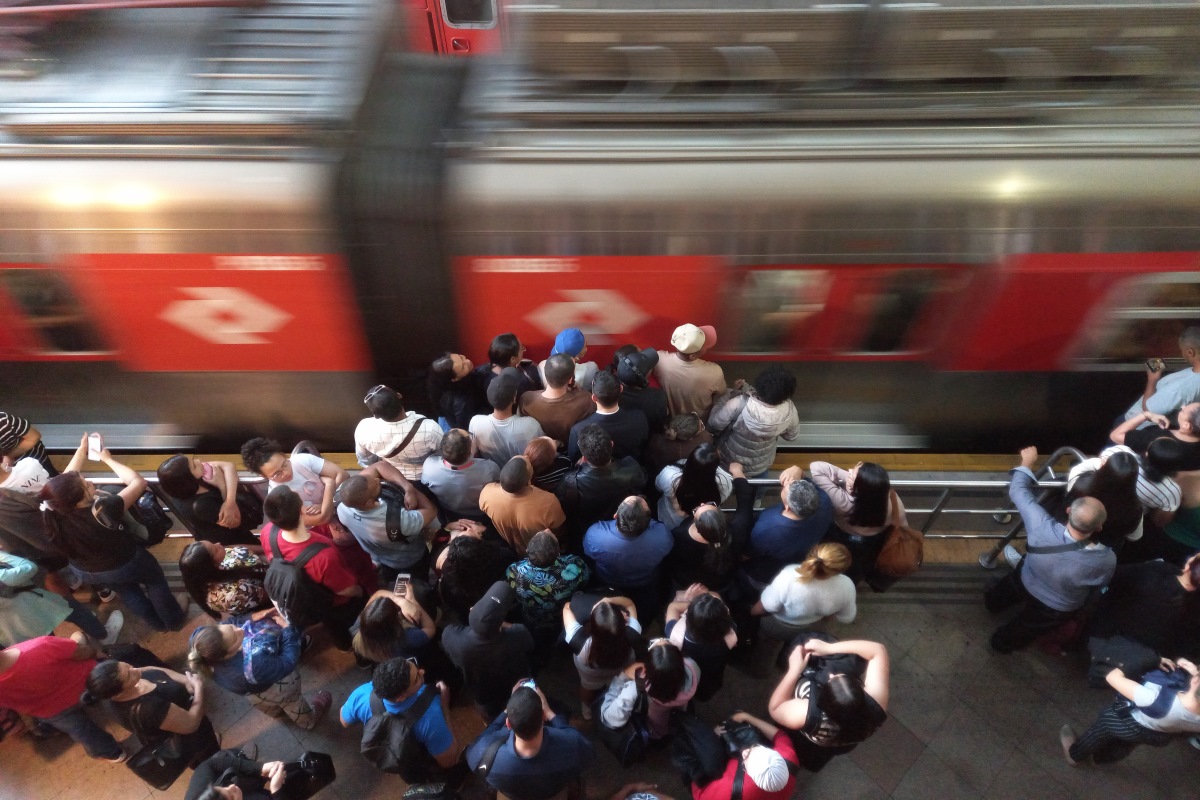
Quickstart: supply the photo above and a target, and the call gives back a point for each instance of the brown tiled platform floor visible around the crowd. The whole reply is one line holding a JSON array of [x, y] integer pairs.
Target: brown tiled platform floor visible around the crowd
[[964, 723]]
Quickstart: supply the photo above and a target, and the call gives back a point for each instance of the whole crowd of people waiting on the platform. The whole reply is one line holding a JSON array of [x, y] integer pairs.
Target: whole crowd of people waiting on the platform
[[568, 506]]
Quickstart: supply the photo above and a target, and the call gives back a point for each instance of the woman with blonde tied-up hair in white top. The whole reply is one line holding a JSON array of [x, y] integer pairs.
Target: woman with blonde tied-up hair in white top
[[803, 594]]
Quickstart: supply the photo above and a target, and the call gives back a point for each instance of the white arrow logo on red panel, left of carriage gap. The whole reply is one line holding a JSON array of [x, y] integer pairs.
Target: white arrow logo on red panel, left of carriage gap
[[225, 316]]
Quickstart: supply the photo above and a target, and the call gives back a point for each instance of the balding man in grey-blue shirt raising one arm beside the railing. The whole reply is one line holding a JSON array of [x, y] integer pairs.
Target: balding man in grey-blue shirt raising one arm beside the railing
[[1061, 566]]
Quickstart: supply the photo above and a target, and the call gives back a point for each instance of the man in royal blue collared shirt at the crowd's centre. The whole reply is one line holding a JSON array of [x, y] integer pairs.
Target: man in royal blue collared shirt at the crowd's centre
[[627, 552]]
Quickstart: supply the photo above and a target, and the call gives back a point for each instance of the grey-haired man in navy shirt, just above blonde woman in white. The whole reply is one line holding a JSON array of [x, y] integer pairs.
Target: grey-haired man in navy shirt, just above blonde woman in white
[[785, 533]]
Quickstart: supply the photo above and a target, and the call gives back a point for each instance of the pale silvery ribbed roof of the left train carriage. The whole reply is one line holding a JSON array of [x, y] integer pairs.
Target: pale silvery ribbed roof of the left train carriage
[[273, 71]]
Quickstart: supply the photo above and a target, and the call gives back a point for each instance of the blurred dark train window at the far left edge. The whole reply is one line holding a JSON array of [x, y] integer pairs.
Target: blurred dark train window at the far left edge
[[52, 310]]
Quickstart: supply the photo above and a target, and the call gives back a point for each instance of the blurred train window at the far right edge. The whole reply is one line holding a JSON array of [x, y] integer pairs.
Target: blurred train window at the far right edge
[[1145, 320]]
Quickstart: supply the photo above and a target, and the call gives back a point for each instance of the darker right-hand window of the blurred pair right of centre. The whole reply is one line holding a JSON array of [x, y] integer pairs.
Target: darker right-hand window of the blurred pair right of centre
[[891, 309]]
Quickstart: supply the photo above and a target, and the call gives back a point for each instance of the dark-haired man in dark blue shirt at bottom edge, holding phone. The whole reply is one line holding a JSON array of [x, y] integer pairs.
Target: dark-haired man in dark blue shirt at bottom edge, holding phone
[[539, 755]]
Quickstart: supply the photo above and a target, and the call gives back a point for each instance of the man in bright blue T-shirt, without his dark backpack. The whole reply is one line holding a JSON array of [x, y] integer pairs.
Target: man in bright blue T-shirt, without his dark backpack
[[400, 683]]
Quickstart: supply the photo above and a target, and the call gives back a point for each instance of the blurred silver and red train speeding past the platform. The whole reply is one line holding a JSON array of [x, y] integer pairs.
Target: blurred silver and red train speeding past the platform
[[971, 227]]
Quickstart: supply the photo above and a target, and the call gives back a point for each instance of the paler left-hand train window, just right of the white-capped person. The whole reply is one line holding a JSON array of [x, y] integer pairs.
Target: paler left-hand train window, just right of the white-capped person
[[772, 306]]
